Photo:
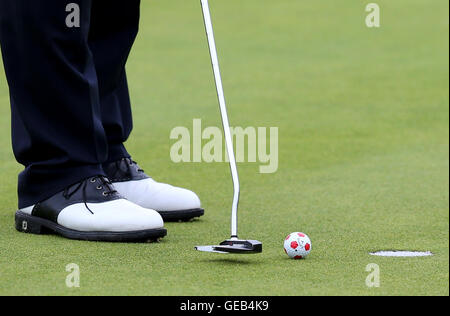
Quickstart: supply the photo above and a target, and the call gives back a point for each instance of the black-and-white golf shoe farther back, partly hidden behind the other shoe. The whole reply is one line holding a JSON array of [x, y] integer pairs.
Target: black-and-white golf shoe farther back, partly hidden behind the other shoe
[[173, 203]]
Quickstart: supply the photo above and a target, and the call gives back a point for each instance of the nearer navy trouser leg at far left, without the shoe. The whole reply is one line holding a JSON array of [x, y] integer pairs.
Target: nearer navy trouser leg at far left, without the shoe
[[56, 123]]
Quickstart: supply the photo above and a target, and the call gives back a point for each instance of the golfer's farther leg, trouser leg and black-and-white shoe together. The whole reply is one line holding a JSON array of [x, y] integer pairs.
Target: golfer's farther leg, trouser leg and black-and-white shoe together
[[114, 26]]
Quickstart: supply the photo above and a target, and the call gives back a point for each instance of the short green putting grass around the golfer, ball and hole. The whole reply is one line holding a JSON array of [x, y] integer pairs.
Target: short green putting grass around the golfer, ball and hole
[[363, 117]]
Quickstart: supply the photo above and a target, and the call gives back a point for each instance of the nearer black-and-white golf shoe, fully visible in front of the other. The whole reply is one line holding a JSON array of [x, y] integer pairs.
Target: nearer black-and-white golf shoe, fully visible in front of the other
[[92, 210]]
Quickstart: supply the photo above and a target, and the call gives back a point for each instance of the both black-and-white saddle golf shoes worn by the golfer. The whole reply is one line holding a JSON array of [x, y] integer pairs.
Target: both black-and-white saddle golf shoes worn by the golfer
[[126, 205]]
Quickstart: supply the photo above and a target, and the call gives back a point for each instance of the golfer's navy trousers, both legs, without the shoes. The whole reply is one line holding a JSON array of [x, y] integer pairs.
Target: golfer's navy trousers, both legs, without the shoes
[[68, 89]]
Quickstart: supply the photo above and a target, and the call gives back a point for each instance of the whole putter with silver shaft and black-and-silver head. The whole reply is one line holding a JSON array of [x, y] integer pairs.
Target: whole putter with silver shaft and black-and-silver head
[[234, 244]]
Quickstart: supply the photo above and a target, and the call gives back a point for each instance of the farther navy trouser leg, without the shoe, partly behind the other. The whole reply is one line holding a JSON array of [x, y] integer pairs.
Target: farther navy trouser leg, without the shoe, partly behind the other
[[114, 26]]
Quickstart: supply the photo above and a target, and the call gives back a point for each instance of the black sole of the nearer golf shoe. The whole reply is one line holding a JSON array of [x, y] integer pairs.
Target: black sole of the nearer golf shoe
[[35, 225]]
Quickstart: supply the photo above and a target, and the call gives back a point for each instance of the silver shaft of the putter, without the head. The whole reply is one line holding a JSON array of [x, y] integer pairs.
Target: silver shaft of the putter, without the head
[[223, 112]]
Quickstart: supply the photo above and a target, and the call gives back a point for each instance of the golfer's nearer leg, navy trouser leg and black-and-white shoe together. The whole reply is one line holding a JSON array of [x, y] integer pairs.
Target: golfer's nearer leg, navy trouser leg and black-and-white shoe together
[[57, 128]]
